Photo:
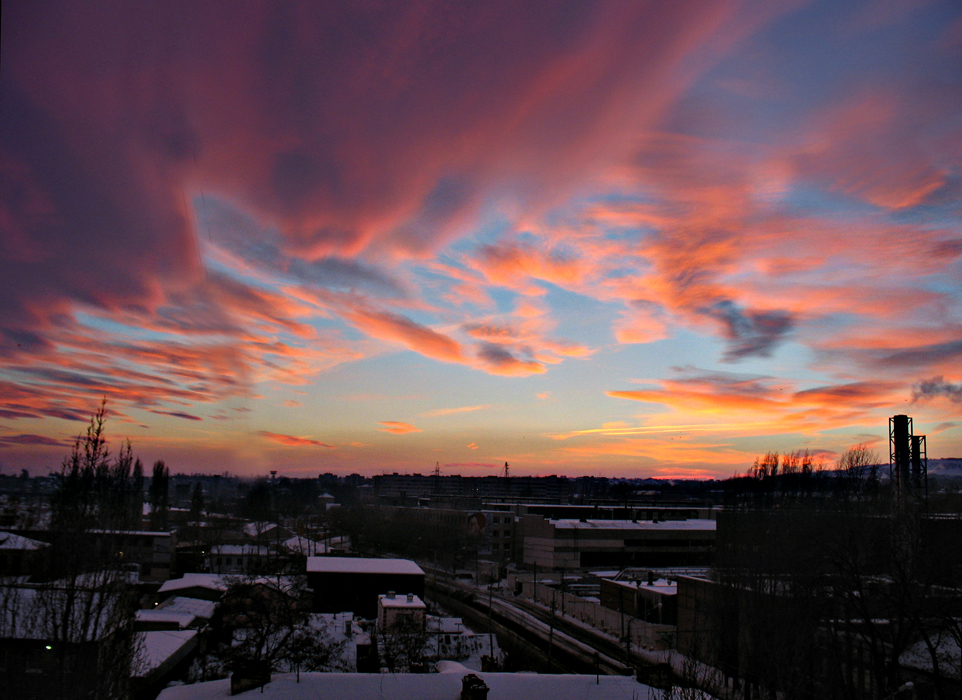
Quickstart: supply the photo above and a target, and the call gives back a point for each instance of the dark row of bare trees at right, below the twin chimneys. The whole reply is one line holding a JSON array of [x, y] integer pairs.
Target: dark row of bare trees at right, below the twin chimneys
[[826, 596]]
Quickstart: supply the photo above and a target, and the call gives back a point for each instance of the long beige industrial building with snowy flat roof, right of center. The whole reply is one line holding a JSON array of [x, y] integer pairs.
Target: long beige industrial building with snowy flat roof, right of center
[[576, 544]]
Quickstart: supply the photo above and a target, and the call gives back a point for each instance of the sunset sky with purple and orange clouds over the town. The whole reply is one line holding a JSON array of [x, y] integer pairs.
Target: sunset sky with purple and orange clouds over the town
[[624, 239]]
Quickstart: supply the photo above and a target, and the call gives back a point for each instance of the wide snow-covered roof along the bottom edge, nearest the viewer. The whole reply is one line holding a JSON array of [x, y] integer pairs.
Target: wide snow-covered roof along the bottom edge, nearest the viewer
[[428, 686]]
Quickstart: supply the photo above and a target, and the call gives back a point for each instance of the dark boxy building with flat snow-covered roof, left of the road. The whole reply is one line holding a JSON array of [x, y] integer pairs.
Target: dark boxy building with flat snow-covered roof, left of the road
[[342, 584]]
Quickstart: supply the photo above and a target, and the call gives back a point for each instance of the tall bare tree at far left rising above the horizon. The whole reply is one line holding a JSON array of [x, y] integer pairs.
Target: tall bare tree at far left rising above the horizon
[[83, 609]]
